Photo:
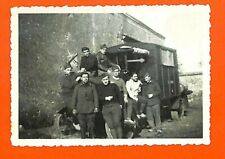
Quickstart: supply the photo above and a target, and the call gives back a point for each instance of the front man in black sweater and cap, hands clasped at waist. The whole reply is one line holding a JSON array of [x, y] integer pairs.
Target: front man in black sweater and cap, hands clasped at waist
[[109, 96]]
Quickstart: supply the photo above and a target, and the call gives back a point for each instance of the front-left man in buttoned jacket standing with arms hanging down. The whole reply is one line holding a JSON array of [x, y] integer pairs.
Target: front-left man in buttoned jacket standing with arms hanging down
[[85, 103]]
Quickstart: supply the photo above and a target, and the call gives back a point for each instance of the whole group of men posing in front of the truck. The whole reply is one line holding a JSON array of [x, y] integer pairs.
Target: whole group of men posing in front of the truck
[[111, 101]]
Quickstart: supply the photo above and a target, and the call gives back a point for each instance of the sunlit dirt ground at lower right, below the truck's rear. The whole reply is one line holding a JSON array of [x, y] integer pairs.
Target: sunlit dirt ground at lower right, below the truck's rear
[[190, 126]]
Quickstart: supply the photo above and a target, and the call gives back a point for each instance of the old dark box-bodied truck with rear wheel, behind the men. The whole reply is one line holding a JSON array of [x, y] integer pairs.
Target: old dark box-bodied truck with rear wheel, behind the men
[[161, 63]]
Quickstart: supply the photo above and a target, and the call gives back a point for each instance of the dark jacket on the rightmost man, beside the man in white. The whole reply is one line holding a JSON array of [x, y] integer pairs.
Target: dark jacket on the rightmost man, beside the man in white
[[151, 88]]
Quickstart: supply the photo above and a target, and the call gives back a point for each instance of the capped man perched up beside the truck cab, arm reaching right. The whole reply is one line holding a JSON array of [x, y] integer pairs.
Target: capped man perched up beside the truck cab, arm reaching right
[[104, 63]]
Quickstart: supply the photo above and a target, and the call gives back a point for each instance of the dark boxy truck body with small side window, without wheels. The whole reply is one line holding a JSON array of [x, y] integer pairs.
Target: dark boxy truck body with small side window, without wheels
[[159, 61]]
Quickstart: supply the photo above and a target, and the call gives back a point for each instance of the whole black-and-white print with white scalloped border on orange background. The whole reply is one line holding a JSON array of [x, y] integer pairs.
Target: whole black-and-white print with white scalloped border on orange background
[[112, 75]]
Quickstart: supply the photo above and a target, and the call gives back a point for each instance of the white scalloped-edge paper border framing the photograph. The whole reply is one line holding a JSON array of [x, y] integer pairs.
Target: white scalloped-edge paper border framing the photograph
[[92, 142]]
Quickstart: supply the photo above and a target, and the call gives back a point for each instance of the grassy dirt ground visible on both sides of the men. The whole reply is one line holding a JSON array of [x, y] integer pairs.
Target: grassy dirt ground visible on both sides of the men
[[190, 126]]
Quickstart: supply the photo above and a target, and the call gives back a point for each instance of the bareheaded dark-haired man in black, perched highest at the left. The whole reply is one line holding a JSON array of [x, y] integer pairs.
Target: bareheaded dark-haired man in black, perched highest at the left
[[89, 63]]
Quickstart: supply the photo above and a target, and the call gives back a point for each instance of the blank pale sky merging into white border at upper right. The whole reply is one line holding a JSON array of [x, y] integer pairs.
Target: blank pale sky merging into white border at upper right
[[186, 29]]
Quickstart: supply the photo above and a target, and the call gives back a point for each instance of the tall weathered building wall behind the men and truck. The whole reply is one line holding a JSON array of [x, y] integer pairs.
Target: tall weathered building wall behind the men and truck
[[46, 40]]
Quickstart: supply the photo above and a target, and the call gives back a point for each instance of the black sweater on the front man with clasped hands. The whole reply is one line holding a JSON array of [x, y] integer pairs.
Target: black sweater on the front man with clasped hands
[[109, 90]]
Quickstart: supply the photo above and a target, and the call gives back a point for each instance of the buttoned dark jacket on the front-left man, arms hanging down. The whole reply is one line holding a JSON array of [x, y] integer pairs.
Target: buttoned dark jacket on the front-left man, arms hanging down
[[85, 98]]
